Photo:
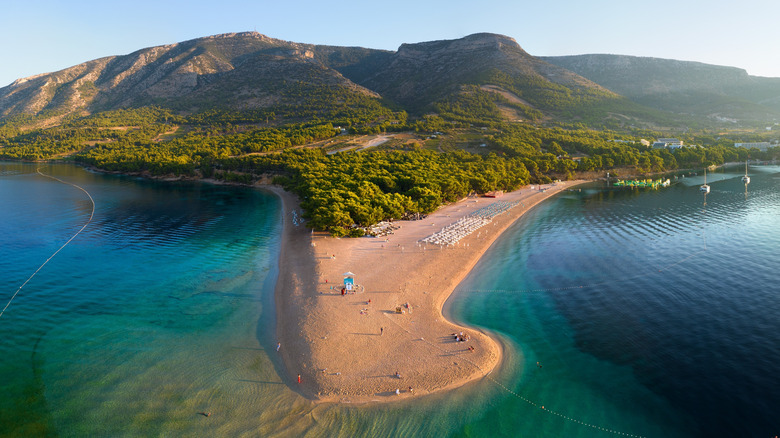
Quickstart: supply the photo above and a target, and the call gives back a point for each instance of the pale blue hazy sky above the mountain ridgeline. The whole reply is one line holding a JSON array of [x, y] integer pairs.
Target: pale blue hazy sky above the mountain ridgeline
[[40, 36]]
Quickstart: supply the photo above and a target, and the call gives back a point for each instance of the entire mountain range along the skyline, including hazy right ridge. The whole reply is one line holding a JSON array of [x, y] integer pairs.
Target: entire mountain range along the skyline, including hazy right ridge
[[479, 78]]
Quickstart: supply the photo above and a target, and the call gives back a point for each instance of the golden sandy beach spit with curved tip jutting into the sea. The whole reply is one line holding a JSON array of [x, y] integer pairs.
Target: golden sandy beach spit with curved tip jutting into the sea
[[356, 347]]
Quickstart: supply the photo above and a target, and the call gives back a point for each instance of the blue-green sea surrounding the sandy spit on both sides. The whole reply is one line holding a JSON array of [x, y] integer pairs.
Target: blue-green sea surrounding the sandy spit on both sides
[[622, 312]]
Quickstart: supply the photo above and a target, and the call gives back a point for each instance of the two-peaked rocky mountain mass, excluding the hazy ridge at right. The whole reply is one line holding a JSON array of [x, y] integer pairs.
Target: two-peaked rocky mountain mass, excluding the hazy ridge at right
[[252, 71]]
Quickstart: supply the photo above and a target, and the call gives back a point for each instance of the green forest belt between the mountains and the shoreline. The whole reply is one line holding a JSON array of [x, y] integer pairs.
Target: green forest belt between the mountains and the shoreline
[[464, 147]]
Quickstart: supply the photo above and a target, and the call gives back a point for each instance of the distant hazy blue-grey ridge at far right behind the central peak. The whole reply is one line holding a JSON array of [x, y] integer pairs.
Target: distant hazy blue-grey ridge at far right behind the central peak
[[704, 90]]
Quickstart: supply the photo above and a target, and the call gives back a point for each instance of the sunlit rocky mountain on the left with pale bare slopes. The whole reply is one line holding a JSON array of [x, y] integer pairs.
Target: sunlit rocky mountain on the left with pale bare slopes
[[238, 71]]
